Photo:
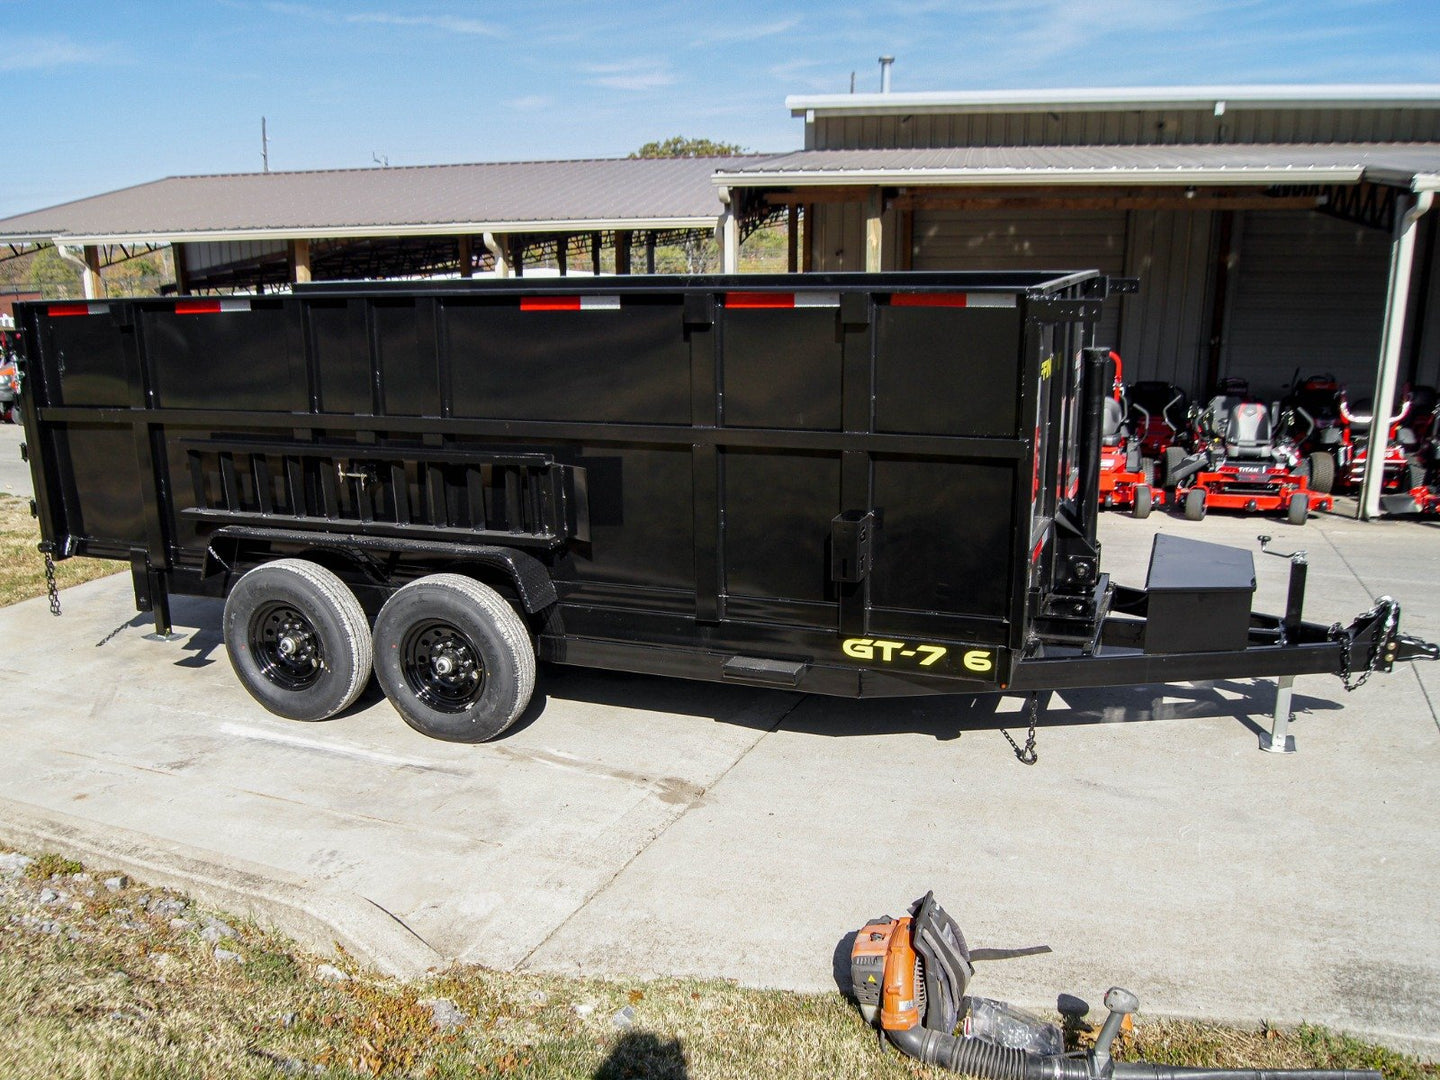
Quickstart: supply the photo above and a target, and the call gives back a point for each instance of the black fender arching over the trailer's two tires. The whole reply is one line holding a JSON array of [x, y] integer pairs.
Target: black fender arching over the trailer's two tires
[[528, 574]]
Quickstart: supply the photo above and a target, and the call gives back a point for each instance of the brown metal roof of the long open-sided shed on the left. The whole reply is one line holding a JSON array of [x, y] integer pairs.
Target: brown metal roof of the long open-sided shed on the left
[[510, 197]]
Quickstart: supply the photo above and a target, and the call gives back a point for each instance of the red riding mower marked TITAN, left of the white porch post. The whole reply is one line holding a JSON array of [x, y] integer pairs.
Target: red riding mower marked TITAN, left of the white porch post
[[1239, 463]]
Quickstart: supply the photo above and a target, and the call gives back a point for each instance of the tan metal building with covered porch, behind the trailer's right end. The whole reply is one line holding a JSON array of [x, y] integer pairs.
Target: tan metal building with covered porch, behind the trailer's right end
[[1274, 230]]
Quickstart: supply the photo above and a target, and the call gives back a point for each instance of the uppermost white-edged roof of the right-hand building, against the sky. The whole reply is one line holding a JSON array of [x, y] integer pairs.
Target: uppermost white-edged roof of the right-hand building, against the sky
[[1094, 100]]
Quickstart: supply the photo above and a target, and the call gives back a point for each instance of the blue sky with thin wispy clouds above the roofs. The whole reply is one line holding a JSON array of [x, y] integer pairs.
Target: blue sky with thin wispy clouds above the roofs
[[103, 96]]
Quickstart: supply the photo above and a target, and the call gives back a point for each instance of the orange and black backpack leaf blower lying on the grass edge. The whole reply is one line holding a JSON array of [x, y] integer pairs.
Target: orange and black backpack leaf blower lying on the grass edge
[[909, 977]]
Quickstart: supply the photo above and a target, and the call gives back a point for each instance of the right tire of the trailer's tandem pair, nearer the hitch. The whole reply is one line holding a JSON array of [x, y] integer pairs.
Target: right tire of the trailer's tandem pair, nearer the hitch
[[489, 663]]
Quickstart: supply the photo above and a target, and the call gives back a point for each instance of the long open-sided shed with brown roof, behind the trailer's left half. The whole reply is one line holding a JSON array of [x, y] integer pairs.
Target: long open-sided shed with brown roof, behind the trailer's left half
[[264, 230]]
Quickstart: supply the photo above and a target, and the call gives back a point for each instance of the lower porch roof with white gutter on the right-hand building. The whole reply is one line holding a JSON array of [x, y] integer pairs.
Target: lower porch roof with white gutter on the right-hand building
[[1412, 165]]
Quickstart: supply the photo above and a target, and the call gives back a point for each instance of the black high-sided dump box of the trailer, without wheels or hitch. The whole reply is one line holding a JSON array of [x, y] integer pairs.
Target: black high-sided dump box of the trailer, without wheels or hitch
[[845, 483]]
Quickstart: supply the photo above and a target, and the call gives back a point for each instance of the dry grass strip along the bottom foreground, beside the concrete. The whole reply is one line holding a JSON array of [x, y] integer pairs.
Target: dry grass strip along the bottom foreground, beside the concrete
[[96, 986]]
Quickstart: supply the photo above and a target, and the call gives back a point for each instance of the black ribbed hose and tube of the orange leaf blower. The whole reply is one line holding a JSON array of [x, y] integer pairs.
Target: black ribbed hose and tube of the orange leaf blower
[[991, 1062]]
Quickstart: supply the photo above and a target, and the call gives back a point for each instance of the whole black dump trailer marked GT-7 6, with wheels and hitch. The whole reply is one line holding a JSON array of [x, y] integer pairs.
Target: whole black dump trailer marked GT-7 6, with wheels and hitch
[[863, 486]]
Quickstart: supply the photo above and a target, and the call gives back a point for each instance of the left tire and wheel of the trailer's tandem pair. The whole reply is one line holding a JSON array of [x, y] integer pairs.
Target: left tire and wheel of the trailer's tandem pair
[[297, 639]]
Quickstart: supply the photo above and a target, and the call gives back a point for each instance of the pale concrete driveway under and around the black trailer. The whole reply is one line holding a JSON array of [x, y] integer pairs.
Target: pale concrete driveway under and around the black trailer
[[657, 827]]
